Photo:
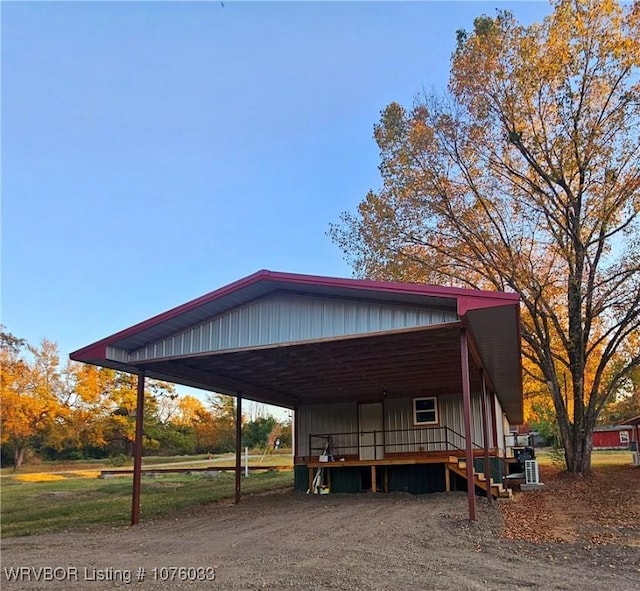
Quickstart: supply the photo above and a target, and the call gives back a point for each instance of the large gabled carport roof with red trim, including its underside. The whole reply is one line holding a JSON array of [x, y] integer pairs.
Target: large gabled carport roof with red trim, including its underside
[[419, 356]]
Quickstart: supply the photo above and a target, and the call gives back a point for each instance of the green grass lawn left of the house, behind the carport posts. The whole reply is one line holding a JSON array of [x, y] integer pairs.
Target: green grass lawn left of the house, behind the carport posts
[[53, 502]]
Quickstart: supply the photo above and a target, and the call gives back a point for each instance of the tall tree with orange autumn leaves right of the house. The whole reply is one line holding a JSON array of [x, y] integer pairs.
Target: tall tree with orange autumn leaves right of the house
[[525, 177]]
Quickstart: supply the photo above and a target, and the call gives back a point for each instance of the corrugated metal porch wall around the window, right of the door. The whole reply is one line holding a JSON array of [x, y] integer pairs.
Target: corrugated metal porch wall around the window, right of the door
[[403, 436]]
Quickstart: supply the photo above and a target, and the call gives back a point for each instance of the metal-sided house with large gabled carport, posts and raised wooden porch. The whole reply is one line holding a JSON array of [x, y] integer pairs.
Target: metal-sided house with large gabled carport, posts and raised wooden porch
[[395, 386]]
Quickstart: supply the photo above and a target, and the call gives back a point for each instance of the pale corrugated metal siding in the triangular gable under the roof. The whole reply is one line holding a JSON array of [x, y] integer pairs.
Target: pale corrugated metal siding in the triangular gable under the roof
[[286, 318]]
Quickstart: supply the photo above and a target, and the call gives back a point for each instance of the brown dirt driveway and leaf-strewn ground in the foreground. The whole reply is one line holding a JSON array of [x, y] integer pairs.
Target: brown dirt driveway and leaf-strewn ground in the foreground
[[548, 541]]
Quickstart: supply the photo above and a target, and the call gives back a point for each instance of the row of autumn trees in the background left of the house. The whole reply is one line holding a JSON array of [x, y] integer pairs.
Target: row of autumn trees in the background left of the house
[[76, 411]]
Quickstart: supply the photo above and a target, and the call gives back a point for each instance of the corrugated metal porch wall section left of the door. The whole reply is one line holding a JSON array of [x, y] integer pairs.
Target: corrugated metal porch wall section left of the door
[[333, 419]]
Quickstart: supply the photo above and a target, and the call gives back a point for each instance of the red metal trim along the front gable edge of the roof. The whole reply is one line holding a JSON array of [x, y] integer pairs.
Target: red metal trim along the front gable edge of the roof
[[467, 300]]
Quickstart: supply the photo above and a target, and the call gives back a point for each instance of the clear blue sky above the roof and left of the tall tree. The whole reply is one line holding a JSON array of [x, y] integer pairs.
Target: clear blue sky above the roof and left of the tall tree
[[155, 151]]
